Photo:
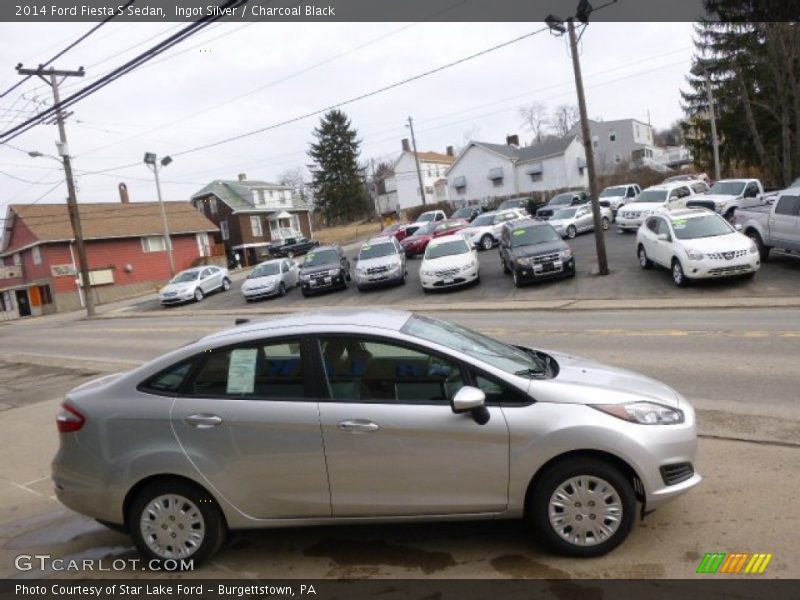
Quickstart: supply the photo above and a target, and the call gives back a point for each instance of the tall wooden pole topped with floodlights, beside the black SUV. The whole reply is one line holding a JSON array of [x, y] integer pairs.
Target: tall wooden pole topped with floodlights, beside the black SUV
[[556, 26]]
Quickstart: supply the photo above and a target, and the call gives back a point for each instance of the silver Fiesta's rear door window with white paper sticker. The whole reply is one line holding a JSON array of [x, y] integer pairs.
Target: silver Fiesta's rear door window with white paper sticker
[[271, 371]]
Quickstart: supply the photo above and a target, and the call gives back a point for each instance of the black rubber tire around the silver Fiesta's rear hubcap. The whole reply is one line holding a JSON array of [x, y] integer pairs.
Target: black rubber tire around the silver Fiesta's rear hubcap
[[198, 501]]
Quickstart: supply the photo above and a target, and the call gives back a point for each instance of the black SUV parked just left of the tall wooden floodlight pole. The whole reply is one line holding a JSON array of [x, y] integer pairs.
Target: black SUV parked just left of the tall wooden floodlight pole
[[532, 250]]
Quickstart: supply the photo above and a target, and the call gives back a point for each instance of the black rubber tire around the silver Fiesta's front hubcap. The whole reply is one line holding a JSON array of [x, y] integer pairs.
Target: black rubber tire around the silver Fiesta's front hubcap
[[592, 469]]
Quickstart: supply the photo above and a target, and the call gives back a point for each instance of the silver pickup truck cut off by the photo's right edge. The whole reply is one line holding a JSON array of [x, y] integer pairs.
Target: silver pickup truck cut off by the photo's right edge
[[776, 225]]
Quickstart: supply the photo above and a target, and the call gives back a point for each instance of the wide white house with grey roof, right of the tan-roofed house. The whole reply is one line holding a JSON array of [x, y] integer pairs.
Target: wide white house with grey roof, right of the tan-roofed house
[[484, 171]]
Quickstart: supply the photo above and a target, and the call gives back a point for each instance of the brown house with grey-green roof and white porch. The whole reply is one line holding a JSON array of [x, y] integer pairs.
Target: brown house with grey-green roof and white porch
[[251, 214]]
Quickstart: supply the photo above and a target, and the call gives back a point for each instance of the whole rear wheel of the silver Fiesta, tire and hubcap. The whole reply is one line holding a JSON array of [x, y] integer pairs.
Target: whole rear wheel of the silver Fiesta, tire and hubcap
[[176, 520]]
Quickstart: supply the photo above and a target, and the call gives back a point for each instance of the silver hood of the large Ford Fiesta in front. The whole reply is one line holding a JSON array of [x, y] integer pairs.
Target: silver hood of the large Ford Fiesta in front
[[596, 383]]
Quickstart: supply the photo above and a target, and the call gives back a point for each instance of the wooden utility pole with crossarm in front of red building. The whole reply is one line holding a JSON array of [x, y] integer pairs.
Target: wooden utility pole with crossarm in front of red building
[[50, 77]]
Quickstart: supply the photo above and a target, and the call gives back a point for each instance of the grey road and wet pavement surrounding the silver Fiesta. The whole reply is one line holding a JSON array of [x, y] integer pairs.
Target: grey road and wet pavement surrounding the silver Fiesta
[[739, 367]]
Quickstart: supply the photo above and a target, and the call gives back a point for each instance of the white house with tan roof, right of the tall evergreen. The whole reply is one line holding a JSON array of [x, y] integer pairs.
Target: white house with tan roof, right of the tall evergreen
[[402, 189]]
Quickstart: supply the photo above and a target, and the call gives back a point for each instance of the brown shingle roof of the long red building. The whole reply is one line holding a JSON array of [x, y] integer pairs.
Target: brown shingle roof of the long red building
[[100, 220]]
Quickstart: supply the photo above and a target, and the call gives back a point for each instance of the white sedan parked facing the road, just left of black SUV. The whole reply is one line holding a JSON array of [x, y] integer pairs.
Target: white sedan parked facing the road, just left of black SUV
[[449, 261]]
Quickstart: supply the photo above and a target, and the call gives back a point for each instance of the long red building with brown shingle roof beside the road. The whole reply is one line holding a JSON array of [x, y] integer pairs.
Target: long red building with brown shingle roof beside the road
[[125, 249]]
